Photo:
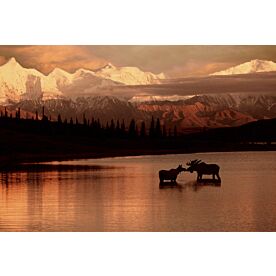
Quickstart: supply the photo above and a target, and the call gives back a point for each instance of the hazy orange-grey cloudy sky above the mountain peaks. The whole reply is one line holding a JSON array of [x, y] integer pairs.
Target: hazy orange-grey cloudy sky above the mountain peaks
[[175, 61]]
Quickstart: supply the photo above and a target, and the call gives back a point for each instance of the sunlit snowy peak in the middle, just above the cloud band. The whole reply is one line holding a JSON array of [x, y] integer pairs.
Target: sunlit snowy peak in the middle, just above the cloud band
[[129, 75]]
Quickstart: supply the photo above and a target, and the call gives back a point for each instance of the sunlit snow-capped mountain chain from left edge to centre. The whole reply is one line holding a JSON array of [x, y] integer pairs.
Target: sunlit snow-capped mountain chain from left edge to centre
[[18, 83]]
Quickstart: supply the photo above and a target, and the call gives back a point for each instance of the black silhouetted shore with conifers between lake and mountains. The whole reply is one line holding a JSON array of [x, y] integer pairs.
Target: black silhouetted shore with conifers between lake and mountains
[[39, 138]]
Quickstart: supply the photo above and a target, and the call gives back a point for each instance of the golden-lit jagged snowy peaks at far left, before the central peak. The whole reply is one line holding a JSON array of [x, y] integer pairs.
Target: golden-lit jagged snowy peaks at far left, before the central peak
[[18, 83]]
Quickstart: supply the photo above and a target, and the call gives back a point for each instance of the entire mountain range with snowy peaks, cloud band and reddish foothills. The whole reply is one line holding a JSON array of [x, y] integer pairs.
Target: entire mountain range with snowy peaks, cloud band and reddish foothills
[[231, 97]]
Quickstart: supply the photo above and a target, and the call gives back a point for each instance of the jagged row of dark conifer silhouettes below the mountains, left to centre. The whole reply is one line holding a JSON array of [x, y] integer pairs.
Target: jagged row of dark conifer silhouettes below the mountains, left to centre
[[42, 124]]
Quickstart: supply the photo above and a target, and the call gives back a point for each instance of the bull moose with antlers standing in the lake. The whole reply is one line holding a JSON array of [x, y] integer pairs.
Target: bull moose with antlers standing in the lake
[[202, 168]]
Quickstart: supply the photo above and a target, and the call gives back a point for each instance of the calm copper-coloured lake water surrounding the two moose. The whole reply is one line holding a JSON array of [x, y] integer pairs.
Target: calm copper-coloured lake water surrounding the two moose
[[123, 194]]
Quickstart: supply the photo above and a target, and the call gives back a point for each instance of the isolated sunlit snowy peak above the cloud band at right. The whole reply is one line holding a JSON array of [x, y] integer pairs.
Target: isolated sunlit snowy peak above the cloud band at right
[[253, 66]]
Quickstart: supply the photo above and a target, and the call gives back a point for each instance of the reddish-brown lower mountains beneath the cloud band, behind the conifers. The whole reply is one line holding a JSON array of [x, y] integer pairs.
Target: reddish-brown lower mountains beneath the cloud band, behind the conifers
[[188, 115]]
